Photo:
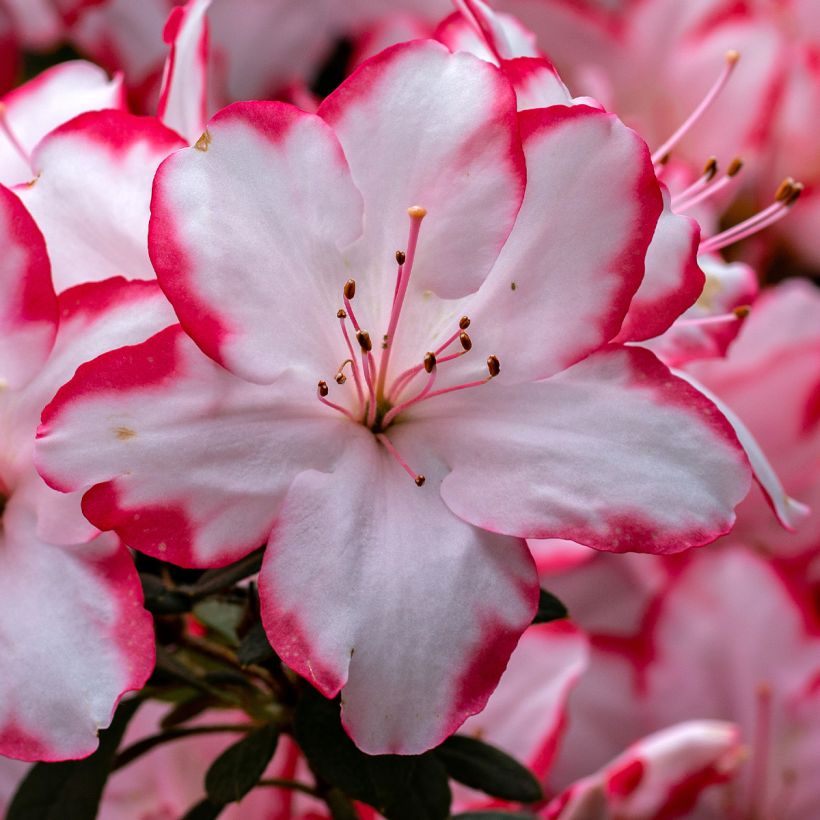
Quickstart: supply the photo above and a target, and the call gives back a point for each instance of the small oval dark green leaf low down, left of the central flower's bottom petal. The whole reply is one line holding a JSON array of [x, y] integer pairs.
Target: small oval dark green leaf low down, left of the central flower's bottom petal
[[238, 769]]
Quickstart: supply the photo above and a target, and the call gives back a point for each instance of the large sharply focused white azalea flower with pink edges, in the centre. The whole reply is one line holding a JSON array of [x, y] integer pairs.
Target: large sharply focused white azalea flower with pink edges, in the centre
[[409, 486]]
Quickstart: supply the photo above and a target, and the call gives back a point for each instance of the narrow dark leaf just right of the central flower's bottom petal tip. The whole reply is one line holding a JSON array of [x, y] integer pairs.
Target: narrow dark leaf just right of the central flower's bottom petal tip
[[483, 767]]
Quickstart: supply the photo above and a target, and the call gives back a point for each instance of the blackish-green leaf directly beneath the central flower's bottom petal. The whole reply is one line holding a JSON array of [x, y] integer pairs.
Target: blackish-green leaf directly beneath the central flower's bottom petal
[[390, 783]]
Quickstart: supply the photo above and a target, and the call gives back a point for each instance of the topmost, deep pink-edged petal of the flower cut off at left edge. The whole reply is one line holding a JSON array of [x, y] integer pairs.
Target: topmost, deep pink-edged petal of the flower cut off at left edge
[[28, 306]]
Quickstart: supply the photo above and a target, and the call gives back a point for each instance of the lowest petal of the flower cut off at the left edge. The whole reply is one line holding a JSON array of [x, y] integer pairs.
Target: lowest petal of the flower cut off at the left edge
[[75, 638]]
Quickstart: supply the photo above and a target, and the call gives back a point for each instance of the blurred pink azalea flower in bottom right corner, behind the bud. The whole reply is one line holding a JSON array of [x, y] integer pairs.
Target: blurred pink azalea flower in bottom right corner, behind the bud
[[754, 665]]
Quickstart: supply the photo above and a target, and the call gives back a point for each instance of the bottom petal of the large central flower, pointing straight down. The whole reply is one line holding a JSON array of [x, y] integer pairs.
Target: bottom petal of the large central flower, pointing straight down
[[371, 586]]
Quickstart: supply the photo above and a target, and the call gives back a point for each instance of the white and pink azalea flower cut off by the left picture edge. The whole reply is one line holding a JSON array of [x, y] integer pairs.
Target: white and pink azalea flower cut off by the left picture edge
[[74, 632]]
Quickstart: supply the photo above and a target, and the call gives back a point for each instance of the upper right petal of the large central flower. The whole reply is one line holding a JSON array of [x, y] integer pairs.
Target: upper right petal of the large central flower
[[563, 281]]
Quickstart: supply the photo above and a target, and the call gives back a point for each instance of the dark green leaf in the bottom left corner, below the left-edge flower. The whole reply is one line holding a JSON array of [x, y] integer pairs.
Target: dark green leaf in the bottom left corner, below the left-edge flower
[[71, 790]]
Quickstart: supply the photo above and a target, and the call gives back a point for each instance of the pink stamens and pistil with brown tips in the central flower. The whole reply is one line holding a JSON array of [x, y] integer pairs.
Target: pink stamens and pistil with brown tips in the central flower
[[381, 397]]
